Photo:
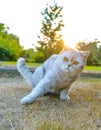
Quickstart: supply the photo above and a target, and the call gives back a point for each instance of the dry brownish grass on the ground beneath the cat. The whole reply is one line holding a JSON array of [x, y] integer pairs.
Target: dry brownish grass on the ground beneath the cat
[[83, 112]]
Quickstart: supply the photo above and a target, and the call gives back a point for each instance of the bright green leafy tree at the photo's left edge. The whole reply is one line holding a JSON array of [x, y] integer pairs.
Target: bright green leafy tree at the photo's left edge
[[9, 45]]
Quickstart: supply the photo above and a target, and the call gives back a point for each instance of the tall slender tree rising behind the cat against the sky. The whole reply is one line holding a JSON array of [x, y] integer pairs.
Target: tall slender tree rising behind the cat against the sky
[[50, 39]]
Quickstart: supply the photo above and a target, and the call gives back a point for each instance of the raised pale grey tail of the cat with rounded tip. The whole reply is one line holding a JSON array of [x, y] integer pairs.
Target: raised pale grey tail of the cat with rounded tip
[[24, 71]]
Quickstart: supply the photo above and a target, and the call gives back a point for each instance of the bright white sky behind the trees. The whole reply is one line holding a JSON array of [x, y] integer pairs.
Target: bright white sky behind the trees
[[82, 19]]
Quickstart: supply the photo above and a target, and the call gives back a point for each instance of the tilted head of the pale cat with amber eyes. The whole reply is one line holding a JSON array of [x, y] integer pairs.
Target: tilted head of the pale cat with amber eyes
[[72, 61]]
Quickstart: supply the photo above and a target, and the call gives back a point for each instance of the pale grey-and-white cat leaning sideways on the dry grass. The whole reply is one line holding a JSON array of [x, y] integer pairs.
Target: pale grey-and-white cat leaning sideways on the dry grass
[[55, 75]]
